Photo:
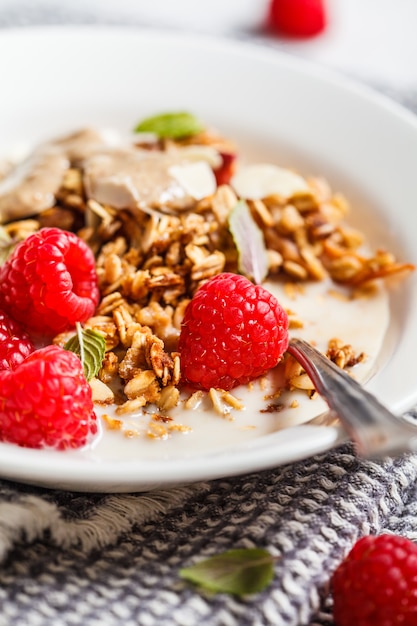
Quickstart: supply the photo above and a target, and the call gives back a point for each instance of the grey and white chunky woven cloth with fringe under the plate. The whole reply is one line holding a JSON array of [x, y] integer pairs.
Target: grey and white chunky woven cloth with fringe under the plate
[[94, 559]]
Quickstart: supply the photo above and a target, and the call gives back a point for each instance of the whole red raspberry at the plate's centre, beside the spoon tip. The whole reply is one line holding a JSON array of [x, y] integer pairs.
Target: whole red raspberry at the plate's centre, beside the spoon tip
[[233, 331]]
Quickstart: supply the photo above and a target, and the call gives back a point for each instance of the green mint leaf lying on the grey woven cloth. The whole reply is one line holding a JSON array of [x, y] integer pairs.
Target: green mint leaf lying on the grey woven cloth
[[239, 572]]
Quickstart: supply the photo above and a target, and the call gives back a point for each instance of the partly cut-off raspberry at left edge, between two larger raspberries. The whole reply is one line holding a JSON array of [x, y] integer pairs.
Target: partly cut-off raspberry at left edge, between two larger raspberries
[[15, 345]]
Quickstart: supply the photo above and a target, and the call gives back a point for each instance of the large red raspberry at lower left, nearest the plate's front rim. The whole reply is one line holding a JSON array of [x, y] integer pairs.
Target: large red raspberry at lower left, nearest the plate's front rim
[[47, 402]]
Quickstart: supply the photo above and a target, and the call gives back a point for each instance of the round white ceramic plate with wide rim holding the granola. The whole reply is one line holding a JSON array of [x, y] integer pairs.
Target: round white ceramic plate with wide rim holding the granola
[[54, 80]]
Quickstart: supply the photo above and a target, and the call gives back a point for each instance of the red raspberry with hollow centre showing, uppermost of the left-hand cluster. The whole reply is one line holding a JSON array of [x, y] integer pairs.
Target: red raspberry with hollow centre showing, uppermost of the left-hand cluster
[[49, 282]]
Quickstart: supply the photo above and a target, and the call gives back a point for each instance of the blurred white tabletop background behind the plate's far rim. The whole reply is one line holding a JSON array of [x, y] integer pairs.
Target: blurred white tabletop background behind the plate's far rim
[[372, 40]]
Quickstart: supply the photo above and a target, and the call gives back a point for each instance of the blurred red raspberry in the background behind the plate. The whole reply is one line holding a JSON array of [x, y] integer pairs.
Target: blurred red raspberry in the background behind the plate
[[297, 18]]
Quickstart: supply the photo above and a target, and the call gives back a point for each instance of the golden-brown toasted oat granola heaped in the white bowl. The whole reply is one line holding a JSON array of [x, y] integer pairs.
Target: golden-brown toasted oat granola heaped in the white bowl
[[151, 261]]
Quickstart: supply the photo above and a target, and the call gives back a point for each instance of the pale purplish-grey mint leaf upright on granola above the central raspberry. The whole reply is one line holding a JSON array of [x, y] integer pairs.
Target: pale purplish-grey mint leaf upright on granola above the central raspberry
[[249, 241]]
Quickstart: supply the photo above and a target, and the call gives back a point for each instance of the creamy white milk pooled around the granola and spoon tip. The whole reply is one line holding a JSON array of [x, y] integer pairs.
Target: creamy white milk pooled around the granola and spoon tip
[[326, 312]]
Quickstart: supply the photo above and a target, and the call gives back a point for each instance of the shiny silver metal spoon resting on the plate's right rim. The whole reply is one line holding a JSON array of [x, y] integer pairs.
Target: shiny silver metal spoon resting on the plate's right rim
[[375, 431]]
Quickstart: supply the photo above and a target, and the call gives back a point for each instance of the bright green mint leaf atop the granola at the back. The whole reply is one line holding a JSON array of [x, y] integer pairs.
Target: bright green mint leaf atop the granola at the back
[[170, 125]]
